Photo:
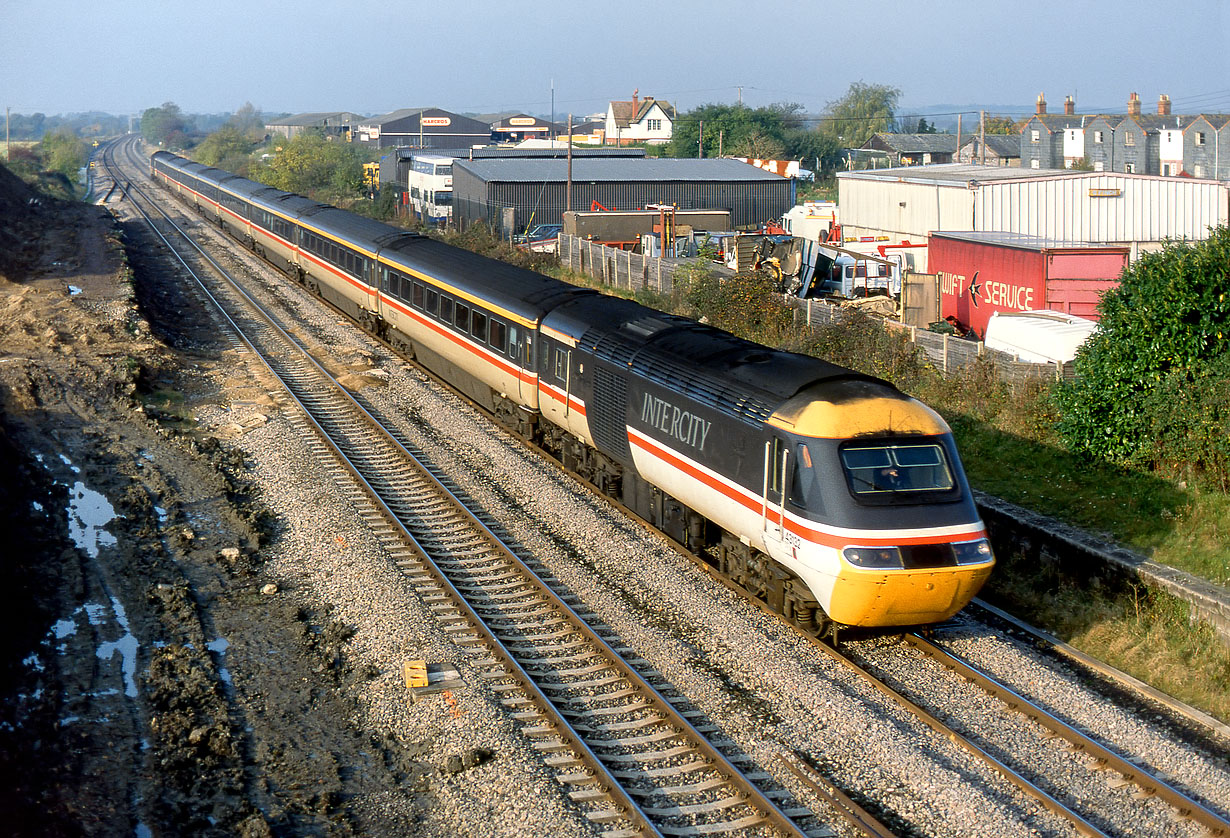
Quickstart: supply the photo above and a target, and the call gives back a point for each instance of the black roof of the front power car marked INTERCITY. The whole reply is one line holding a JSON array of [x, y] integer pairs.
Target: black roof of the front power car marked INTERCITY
[[730, 373]]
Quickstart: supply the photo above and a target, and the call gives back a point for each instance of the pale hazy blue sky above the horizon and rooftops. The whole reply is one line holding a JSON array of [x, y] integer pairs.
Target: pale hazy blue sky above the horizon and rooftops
[[483, 56]]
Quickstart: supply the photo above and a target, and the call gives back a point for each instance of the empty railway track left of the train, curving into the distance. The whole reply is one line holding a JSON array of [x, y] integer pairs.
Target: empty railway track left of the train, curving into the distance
[[632, 759]]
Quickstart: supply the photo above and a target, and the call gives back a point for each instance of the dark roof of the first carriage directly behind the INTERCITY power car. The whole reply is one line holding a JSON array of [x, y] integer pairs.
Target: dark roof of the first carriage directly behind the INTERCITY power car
[[526, 293]]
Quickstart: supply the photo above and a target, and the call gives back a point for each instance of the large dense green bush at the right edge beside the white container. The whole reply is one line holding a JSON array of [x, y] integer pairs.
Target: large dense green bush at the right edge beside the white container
[[1151, 383]]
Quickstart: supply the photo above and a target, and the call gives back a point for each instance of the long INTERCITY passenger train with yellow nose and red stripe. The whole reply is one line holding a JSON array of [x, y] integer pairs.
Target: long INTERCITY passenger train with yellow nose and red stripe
[[828, 494]]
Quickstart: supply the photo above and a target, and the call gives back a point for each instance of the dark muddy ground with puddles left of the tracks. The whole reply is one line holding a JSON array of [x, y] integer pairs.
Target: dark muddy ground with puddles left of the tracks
[[133, 546]]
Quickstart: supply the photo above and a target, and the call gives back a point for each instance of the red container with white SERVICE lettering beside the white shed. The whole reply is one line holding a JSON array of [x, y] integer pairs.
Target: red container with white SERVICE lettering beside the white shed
[[982, 274]]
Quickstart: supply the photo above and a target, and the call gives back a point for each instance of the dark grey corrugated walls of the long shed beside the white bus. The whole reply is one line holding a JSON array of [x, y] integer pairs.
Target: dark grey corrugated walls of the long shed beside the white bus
[[750, 202]]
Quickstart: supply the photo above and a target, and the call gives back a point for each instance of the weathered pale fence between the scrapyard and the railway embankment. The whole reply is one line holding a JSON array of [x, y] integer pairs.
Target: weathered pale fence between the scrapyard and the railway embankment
[[630, 271]]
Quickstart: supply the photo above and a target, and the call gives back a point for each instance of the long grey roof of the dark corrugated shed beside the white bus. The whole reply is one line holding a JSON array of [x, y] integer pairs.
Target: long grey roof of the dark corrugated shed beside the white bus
[[613, 169]]
